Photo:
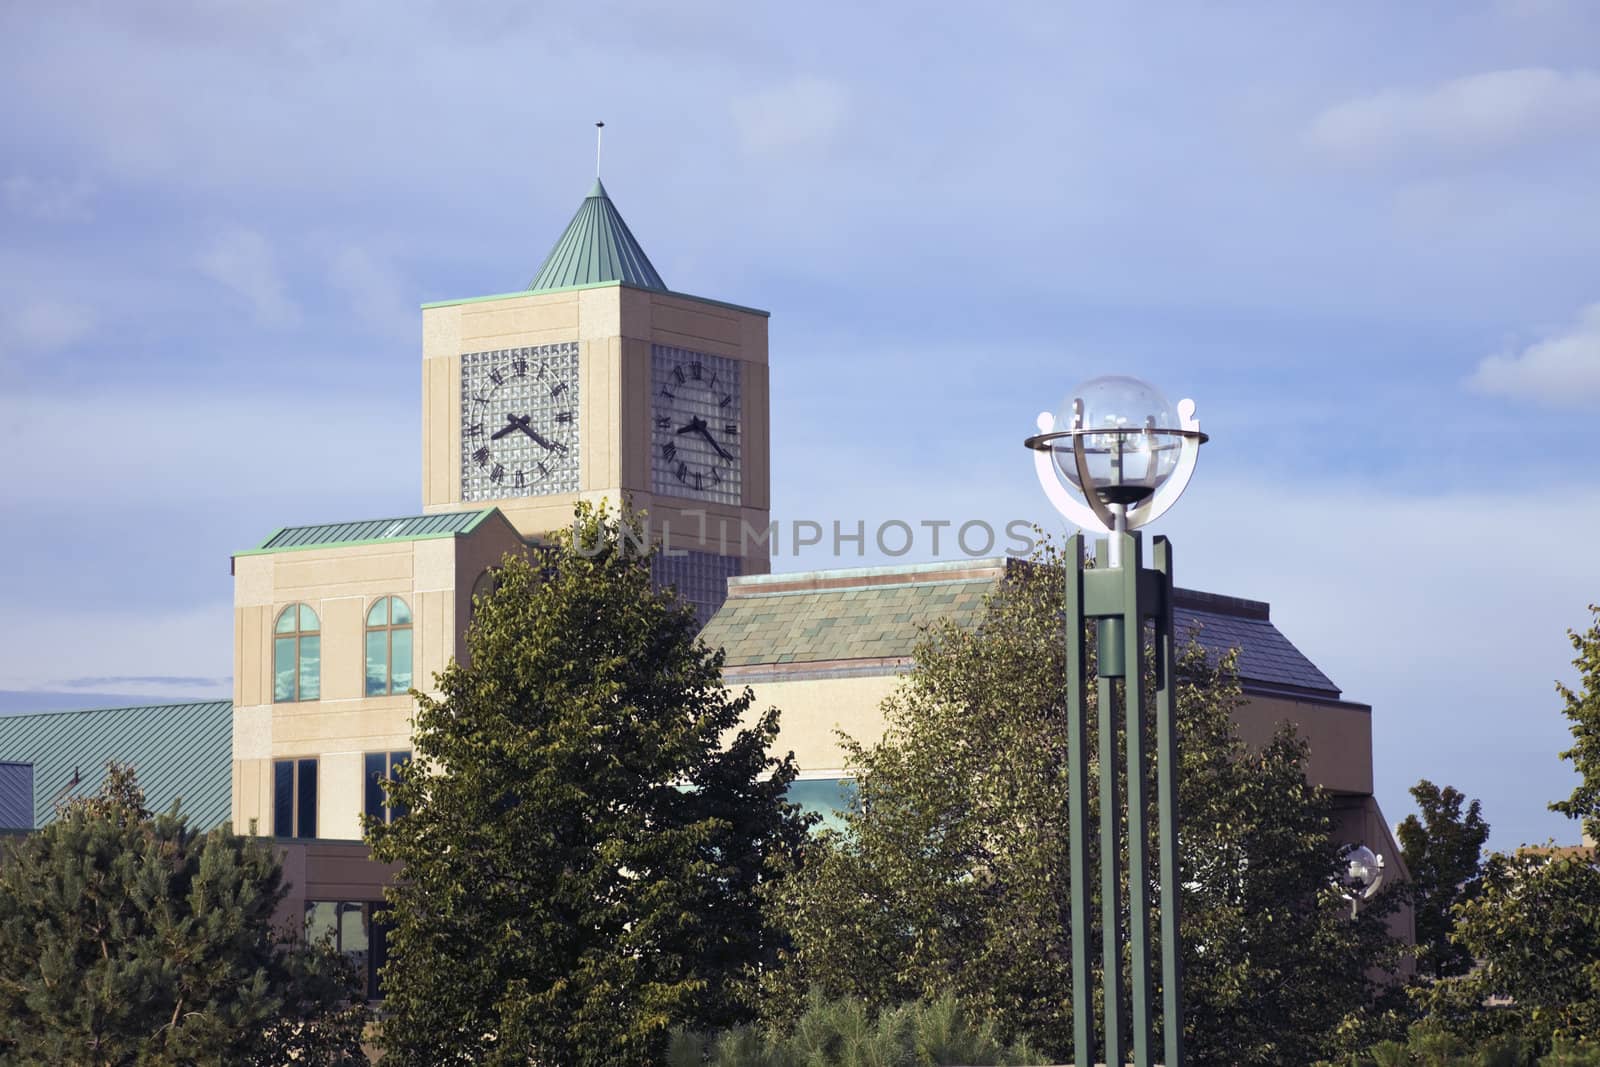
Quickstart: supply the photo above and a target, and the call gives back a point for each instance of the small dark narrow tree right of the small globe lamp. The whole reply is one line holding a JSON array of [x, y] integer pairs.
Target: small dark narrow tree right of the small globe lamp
[[1444, 853]]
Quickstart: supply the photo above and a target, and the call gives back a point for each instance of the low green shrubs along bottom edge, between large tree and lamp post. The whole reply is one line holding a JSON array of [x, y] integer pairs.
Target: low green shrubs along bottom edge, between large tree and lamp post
[[847, 1034]]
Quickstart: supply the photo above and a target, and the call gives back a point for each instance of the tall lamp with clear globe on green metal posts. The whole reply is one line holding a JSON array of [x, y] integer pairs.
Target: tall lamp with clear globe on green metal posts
[[1116, 458]]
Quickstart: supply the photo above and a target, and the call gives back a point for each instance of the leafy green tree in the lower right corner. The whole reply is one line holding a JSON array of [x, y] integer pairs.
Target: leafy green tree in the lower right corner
[[1535, 930]]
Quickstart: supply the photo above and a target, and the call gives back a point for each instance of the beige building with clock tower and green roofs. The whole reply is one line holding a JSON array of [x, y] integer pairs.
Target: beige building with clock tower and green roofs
[[594, 383]]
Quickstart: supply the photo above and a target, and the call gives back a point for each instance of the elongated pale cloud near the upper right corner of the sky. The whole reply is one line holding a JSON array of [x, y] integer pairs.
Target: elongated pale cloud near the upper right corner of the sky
[[1479, 114]]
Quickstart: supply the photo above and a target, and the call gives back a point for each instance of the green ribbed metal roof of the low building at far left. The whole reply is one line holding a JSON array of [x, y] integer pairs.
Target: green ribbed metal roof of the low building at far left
[[178, 751]]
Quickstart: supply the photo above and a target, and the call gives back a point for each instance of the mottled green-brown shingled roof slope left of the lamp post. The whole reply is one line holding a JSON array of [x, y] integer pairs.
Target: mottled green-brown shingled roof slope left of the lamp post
[[830, 625]]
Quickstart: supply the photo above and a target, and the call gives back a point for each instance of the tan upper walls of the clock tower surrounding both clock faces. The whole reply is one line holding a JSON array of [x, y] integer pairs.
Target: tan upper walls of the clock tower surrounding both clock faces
[[615, 329]]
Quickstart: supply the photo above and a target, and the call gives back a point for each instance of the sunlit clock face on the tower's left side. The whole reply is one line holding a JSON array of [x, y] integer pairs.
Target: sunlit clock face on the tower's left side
[[519, 422]]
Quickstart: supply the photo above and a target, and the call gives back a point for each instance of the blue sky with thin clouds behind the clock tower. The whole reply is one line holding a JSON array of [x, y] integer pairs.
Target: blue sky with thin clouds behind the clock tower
[[1362, 238]]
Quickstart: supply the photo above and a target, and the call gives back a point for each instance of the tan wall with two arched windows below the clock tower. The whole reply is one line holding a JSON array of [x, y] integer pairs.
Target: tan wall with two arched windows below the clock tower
[[433, 577]]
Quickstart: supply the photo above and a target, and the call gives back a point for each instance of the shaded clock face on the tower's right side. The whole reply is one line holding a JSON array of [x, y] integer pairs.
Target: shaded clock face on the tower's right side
[[697, 425]]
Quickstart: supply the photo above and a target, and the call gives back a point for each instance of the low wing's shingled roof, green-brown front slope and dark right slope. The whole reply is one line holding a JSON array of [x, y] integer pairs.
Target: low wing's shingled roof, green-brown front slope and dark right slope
[[881, 613]]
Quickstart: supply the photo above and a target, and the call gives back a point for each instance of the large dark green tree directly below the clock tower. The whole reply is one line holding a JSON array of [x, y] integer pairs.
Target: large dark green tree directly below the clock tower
[[591, 817]]
